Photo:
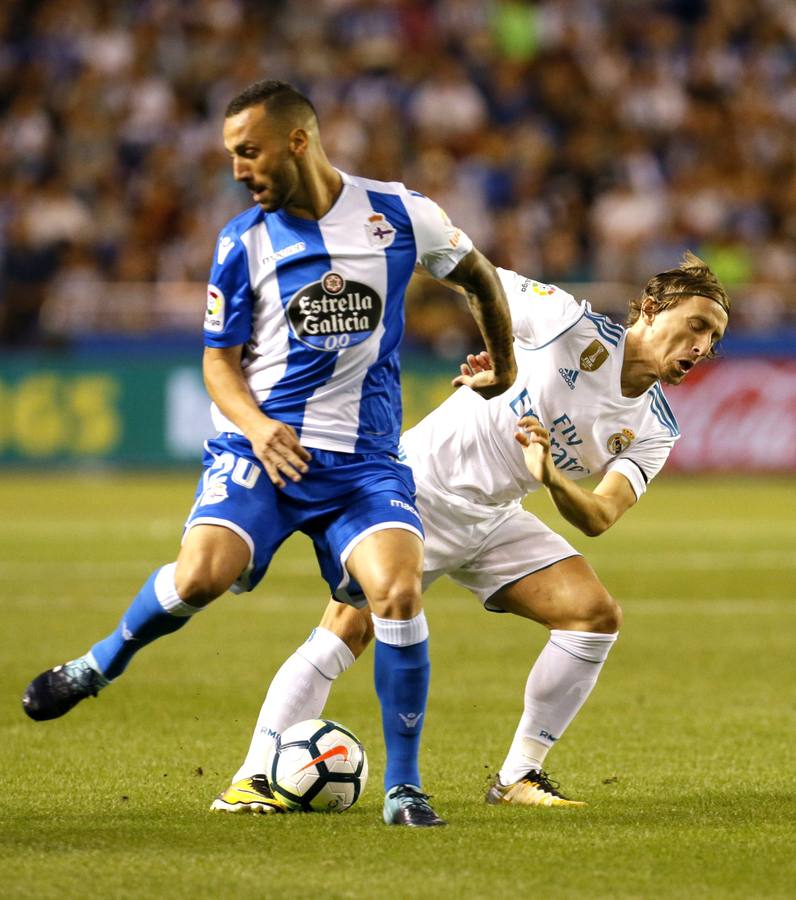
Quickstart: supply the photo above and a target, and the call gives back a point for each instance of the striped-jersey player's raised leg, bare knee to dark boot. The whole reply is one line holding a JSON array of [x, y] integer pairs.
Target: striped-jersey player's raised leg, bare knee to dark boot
[[163, 605]]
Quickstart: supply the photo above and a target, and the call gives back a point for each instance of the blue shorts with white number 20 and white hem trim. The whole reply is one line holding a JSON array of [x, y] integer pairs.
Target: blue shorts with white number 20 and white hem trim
[[342, 499]]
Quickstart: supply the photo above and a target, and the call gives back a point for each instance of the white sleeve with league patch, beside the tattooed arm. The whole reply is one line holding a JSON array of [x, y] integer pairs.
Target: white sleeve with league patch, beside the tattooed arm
[[539, 312]]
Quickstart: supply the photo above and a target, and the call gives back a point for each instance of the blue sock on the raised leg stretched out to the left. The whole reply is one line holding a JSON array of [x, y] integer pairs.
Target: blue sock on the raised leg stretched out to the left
[[144, 621]]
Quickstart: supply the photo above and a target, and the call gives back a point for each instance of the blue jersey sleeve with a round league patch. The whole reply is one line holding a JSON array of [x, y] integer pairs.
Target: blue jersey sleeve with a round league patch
[[230, 300]]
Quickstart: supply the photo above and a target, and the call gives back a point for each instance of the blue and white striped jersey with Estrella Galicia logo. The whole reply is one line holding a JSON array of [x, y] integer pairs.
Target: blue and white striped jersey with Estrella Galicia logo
[[318, 306]]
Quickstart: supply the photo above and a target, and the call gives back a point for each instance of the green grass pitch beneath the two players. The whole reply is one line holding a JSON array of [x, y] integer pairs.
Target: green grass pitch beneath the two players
[[684, 751]]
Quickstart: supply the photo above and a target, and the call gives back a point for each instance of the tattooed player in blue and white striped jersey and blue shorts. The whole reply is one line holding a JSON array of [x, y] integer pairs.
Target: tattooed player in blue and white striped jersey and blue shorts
[[303, 323]]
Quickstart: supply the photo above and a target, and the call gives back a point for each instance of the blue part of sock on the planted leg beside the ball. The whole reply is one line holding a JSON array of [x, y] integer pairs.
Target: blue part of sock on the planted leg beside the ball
[[402, 677]]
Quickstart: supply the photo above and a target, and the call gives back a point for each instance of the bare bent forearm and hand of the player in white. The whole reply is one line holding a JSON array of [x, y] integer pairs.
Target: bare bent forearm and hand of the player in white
[[593, 512]]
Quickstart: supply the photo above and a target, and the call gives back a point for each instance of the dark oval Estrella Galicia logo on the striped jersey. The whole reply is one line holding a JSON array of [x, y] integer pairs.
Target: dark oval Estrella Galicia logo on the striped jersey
[[332, 314]]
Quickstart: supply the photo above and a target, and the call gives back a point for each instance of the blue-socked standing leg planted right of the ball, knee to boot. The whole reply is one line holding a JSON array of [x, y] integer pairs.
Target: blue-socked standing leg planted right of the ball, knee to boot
[[388, 566]]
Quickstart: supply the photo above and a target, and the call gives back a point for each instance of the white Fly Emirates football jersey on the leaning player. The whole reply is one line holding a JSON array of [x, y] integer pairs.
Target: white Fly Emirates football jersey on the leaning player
[[569, 362]]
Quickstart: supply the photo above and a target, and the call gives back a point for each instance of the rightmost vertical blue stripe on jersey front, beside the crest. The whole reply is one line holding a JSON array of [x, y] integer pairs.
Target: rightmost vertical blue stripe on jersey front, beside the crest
[[380, 407]]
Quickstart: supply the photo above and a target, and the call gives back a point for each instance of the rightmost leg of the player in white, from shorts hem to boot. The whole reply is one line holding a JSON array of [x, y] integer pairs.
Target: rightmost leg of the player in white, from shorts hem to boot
[[583, 620]]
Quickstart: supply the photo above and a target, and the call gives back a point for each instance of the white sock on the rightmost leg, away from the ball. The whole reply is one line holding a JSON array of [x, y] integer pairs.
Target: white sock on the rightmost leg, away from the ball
[[560, 681]]
